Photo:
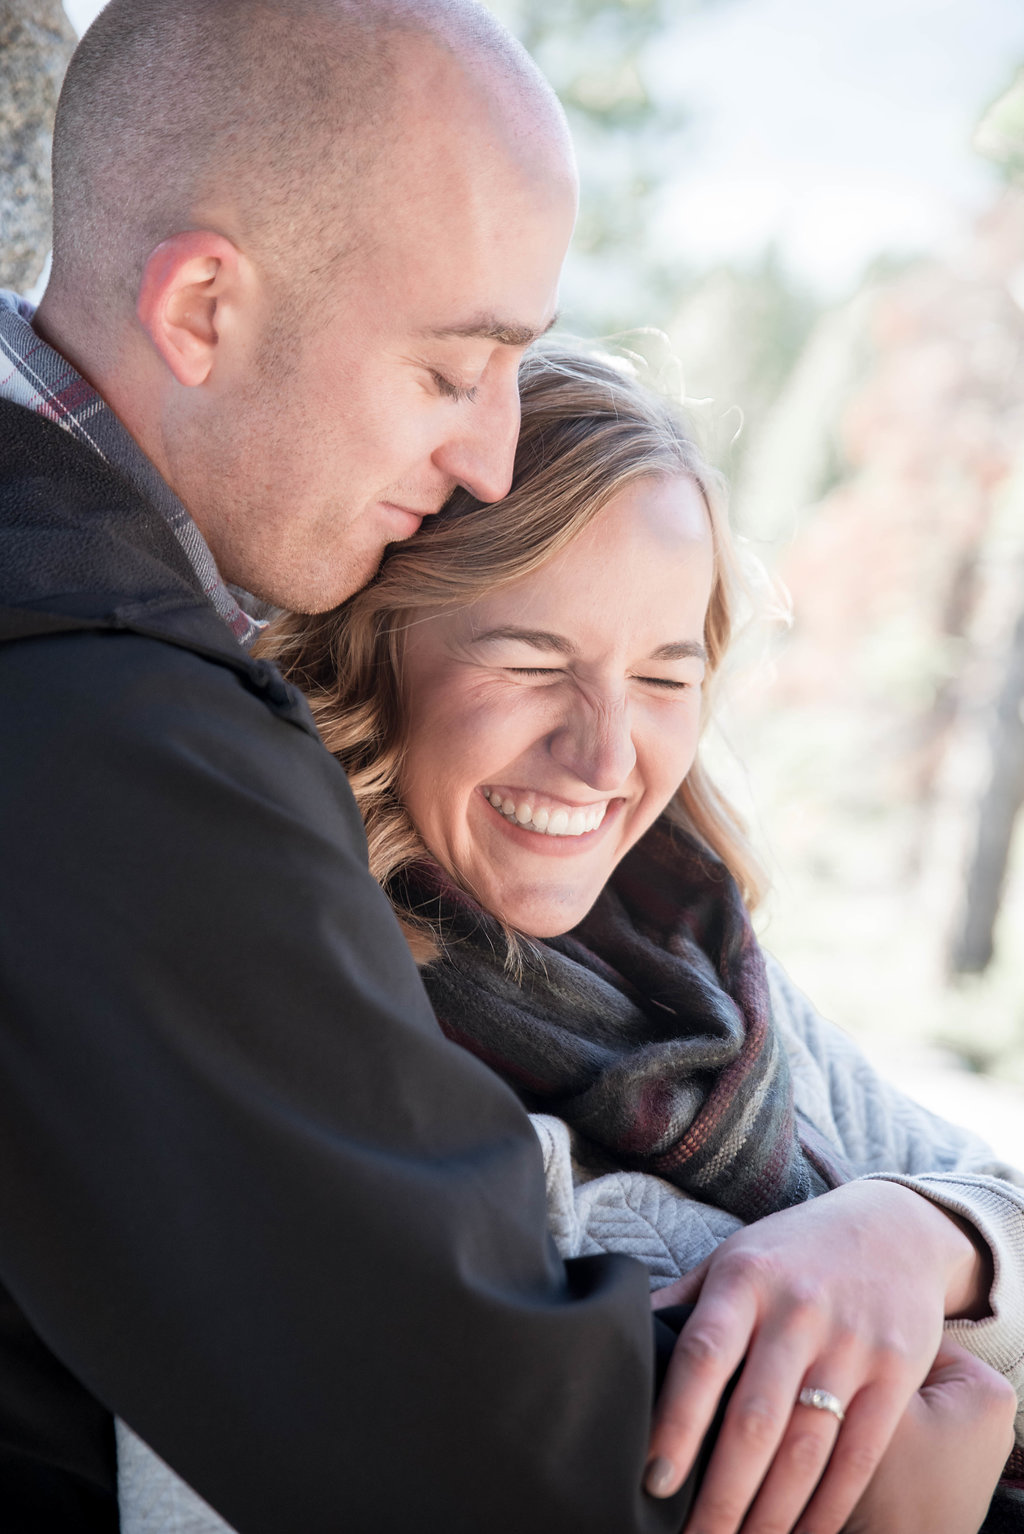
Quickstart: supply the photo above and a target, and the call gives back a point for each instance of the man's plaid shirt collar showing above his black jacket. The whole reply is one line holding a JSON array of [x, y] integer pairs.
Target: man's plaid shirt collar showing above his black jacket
[[39, 378]]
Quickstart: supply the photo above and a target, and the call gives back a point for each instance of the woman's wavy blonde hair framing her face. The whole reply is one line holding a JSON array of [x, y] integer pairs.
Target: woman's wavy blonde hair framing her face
[[589, 430]]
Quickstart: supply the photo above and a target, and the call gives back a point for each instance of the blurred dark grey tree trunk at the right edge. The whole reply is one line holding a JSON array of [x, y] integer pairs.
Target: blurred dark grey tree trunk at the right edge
[[973, 947]]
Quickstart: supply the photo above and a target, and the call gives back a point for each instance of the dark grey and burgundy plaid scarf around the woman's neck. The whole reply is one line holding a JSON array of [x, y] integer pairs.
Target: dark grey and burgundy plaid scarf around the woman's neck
[[648, 1029]]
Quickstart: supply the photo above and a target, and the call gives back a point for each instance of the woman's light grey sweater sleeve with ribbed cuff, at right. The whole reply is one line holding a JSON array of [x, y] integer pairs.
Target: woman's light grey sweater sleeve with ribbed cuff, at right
[[887, 1134]]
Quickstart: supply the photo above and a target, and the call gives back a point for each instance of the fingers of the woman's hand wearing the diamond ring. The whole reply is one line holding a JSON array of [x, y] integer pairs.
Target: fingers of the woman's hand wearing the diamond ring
[[772, 1452]]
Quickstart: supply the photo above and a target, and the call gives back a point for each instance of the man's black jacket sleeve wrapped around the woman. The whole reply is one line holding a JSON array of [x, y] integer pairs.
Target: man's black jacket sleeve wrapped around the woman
[[251, 1196]]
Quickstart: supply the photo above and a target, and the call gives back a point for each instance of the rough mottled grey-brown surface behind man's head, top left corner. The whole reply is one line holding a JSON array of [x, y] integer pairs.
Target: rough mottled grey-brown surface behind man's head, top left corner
[[36, 44]]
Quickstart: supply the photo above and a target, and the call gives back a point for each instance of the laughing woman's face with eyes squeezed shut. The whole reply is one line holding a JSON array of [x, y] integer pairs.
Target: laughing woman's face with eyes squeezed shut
[[551, 722]]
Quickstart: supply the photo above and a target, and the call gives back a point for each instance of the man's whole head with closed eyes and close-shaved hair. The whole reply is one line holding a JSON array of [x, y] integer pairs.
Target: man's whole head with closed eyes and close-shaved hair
[[300, 249]]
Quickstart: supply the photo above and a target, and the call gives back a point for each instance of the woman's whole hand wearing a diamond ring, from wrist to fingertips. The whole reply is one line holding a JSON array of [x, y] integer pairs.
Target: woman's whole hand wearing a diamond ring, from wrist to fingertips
[[844, 1294]]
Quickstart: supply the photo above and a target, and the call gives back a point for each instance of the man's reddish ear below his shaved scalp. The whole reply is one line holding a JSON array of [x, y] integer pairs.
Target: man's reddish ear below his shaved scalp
[[188, 285]]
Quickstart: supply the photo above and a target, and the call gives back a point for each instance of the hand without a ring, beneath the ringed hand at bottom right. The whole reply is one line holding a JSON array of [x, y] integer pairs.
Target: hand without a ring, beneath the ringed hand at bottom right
[[947, 1455]]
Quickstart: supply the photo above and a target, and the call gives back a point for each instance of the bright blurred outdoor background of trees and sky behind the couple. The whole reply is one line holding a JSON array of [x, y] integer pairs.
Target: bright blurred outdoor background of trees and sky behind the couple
[[809, 217]]
